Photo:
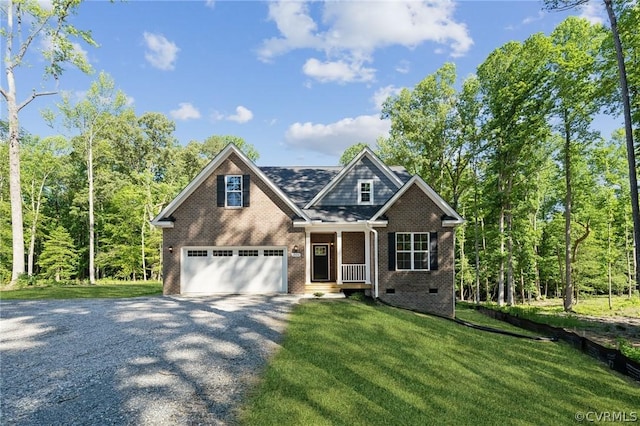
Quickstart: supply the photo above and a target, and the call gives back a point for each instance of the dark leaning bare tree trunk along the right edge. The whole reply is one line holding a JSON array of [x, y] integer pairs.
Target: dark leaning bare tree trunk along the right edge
[[631, 155]]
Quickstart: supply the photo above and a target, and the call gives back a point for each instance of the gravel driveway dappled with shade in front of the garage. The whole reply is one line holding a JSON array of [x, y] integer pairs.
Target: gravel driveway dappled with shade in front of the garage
[[152, 360]]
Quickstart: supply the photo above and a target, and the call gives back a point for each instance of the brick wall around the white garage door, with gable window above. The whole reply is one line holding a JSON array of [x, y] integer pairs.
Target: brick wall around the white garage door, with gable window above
[[266, 222]]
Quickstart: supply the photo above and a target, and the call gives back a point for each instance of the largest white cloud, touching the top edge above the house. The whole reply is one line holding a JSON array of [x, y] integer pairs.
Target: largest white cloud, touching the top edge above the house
[[350, 32]]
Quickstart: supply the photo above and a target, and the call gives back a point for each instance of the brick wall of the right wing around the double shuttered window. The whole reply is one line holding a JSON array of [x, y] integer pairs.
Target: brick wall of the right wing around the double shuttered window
[[415, 212]]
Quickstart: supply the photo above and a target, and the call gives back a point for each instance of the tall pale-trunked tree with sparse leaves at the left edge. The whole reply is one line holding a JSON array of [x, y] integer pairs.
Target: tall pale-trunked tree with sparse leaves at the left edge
[[25, 21]]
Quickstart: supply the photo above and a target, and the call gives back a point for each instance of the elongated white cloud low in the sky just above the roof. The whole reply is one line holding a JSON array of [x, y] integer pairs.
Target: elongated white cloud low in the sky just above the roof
[[334, 138]]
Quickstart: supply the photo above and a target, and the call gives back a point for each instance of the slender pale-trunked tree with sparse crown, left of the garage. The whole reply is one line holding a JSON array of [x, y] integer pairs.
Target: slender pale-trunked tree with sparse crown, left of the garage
[[90, 117]]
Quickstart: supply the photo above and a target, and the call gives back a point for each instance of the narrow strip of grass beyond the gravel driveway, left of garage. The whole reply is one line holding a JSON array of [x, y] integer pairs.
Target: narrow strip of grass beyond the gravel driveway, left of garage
[[101, 290]]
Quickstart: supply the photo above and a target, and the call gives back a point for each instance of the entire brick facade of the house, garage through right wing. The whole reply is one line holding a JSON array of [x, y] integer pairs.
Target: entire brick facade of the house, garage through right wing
[[268, 221]]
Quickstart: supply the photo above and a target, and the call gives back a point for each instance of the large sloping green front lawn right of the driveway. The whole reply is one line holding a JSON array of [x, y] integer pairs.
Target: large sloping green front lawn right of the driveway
[[361, 364]]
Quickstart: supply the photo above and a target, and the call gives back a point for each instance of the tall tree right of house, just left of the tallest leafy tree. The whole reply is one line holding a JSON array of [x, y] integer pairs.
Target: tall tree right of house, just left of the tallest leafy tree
[[513, 82]]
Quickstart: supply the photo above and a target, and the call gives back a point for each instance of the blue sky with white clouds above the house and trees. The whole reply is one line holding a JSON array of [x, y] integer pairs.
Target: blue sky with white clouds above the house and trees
[[301, 81]]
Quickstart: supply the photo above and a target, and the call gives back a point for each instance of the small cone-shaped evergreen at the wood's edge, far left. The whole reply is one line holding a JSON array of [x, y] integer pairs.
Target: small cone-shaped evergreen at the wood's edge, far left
[[59, 258]]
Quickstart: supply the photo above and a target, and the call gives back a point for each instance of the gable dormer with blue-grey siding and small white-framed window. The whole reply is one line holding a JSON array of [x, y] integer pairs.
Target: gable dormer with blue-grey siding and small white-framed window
[[365, 181]]
